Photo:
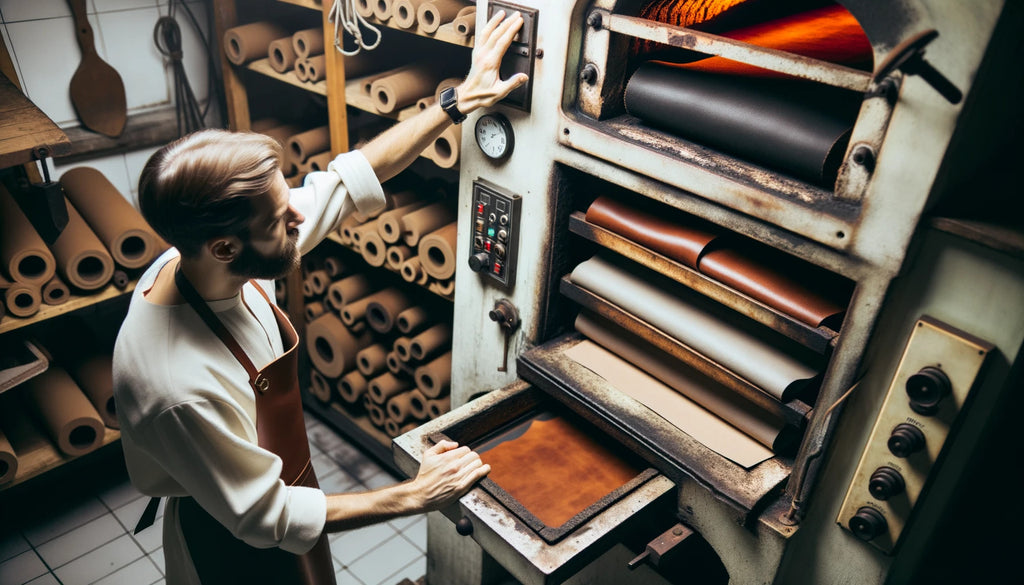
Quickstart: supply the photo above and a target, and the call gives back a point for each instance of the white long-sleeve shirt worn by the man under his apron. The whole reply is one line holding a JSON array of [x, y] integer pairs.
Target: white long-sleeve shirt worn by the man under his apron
[[187, 411]]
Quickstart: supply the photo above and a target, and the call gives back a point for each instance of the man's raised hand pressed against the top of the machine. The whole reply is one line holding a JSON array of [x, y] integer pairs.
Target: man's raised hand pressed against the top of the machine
[[484, 87]]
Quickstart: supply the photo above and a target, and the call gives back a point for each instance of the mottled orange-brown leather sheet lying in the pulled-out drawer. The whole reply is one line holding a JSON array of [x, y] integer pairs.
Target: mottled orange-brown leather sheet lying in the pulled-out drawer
[[557, 471]]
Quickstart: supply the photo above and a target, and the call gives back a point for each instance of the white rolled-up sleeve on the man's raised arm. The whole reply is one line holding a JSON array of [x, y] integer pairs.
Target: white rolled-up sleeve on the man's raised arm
[[326, 198]]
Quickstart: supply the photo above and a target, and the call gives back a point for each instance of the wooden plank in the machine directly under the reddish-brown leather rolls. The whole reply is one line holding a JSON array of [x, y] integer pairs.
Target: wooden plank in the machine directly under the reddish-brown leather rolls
[[820, 340]]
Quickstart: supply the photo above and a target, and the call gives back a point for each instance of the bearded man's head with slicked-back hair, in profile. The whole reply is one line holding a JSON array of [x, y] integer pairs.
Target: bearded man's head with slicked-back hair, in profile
[[224, 192]]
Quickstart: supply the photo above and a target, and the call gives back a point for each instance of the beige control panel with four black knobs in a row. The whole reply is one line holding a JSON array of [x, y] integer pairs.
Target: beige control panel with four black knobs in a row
[[929, 391]]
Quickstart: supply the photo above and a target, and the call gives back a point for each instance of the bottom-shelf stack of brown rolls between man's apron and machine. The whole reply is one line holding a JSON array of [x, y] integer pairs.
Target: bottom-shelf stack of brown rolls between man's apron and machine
[[376, 348]]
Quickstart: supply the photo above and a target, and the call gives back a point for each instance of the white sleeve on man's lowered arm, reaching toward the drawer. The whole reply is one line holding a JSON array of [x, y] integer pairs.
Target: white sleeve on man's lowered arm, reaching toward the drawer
[[203, 446]]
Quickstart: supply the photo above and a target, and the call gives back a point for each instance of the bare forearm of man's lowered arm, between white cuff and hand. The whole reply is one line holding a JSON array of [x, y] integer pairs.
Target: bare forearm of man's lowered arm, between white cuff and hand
[[350, 512]]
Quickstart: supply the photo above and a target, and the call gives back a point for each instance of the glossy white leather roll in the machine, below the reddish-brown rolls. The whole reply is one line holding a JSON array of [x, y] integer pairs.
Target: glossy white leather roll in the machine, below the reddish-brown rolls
[[760, 356]]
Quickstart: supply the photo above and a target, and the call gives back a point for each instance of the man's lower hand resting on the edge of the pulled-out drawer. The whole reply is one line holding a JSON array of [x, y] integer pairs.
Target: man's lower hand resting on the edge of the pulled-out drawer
[[447, 473]]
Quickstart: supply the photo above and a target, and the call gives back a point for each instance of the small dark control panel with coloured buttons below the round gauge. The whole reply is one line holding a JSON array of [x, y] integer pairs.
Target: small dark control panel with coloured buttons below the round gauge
[[496, 233]]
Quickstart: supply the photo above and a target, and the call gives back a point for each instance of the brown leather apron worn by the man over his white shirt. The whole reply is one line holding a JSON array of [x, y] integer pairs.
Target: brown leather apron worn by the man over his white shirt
[[220, 558]]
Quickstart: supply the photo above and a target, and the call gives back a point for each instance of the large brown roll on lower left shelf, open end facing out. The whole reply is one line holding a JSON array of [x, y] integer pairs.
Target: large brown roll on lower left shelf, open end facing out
[[66, 413]]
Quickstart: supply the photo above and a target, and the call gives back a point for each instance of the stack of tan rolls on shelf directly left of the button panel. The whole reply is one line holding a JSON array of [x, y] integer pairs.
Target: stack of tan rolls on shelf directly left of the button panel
[[414, 236]]
